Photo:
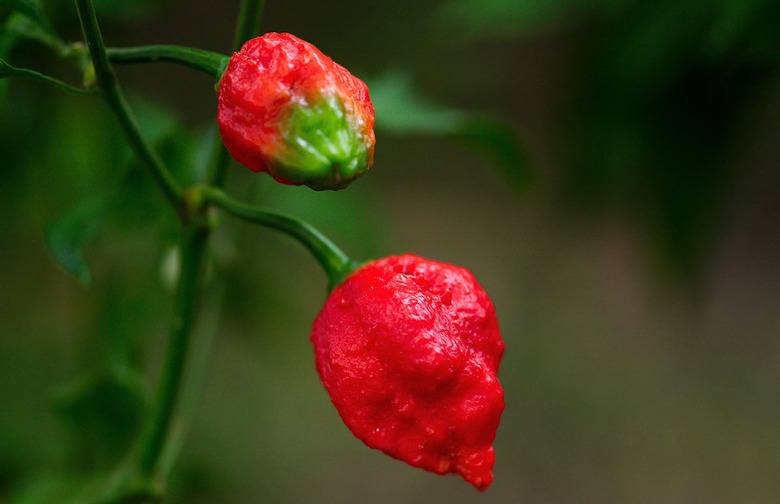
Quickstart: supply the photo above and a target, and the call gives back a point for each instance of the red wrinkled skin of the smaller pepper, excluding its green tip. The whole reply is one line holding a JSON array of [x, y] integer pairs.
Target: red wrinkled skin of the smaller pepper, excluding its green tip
[[265, 79]]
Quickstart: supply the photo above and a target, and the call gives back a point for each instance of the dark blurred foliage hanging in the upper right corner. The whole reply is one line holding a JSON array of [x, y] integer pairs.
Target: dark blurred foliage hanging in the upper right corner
[[661, 96]]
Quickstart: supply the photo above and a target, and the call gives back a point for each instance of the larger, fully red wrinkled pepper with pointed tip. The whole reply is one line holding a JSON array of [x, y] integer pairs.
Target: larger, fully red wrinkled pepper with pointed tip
[[408, 350]]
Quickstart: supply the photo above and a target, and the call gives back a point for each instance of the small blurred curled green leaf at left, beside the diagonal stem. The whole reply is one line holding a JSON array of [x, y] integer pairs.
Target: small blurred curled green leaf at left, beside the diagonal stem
[[67, 235]]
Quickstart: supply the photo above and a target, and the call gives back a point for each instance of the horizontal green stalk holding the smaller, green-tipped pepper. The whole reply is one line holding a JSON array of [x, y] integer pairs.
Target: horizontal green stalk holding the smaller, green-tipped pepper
[[208, 62]]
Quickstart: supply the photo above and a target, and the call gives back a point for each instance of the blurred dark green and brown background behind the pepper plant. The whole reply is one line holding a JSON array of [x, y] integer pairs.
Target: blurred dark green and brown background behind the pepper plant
[[608, 170]]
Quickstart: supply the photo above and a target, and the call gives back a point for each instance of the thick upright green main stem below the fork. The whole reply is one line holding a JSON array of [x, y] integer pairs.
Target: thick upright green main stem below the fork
[[150, 442]]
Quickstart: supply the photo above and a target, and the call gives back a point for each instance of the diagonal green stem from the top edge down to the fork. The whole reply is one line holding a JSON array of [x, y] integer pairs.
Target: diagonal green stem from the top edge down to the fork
[[116, 101]]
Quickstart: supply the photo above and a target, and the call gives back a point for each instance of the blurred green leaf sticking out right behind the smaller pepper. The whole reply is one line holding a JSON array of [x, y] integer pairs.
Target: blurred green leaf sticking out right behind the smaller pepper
[[401, 109]]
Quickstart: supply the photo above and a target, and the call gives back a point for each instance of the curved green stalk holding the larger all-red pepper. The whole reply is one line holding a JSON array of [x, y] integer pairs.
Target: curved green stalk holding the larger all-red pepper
[[332, 259]]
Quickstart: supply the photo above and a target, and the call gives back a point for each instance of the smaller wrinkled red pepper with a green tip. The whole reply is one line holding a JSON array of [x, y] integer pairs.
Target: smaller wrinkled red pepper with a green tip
[[287, 109]]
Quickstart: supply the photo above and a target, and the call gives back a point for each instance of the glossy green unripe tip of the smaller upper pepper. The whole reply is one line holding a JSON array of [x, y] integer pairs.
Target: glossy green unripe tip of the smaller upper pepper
[[321, 148]]
